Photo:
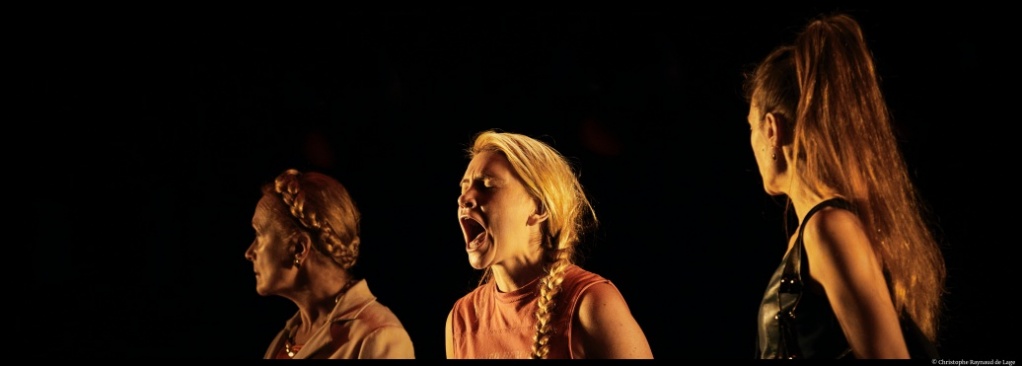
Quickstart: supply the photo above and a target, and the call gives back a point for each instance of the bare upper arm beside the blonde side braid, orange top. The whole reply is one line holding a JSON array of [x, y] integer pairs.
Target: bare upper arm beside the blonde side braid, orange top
[[607, 328]]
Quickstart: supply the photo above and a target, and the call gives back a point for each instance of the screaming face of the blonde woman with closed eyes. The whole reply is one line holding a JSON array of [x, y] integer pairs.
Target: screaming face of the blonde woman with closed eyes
[[494, 211]]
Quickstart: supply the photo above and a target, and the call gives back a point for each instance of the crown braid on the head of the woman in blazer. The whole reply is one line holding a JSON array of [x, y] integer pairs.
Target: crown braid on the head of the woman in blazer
[[289, 187]]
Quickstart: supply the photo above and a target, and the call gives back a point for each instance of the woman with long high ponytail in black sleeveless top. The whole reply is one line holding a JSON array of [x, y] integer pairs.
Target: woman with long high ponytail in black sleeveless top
[[864, 276]]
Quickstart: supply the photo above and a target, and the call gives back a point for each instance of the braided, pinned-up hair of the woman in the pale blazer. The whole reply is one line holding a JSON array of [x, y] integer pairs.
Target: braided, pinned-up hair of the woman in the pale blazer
[[321, 206]]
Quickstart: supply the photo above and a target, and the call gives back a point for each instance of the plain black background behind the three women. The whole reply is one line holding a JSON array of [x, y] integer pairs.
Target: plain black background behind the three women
[[154, 132]]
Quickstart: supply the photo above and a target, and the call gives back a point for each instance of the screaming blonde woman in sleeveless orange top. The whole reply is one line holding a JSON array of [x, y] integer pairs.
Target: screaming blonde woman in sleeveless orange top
[[523, 212]]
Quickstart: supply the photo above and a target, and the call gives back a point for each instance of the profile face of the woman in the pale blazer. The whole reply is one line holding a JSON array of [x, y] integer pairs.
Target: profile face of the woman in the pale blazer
[[272, 261]]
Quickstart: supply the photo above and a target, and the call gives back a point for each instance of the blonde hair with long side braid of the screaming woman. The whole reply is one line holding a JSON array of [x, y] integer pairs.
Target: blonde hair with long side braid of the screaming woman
[[551, 181]]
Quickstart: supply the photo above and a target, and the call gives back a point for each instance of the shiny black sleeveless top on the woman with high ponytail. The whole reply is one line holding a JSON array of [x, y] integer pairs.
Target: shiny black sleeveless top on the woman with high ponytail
[[796, 323]]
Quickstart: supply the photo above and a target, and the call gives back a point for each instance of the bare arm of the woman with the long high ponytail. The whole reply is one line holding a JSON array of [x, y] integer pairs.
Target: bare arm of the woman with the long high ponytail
[[844, 262]]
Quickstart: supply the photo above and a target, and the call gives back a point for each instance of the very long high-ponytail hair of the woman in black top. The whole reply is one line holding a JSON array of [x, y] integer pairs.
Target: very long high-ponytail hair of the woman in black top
[[826, 89]]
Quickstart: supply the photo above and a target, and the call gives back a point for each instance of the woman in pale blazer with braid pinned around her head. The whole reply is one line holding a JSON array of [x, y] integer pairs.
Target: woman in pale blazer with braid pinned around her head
[[307, 241]]
